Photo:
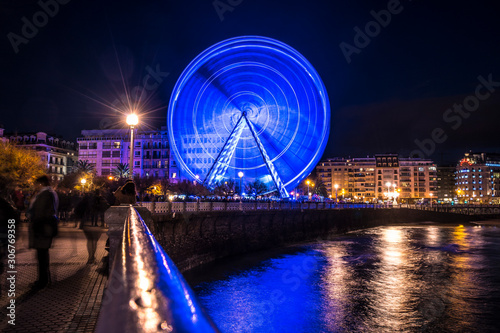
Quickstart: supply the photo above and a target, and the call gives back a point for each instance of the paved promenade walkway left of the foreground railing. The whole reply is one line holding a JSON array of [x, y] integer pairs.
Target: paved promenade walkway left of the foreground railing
[[73, 300]]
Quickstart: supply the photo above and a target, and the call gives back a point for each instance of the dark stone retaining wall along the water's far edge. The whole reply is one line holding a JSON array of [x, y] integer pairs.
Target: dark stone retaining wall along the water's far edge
[[195, 239]]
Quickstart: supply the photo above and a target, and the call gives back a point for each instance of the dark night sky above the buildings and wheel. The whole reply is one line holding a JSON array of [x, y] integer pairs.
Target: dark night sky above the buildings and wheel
[[393, 92]]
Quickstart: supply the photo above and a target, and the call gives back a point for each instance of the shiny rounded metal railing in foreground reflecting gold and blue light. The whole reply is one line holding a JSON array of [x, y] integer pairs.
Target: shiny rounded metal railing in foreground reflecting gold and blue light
[[146, 292]]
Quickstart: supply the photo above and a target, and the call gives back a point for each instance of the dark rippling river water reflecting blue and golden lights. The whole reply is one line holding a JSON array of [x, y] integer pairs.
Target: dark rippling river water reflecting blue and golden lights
[[386, 279]]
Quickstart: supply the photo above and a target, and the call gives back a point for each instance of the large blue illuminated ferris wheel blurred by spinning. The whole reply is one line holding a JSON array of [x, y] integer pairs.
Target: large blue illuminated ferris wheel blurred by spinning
[[250, 105]]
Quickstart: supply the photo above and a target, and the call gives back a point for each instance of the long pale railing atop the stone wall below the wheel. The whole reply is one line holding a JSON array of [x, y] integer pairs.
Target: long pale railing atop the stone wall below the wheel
[[191, 207]]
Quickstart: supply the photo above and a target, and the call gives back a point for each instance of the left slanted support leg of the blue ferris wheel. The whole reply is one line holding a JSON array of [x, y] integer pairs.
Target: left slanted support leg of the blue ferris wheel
[[221, 163]]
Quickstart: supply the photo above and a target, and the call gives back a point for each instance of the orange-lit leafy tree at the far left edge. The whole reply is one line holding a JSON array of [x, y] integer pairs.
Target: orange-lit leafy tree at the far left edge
[[18, 167]]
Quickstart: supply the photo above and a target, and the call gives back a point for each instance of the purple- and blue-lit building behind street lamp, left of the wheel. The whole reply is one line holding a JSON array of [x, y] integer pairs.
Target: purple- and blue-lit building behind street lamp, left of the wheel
[[106, 149]]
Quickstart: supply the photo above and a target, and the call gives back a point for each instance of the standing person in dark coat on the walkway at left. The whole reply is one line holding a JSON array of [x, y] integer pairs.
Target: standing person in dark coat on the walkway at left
[[42, 228]]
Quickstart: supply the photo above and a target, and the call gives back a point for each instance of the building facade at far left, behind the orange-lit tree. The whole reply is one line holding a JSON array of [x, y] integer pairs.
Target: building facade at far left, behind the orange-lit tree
[[58, 155]]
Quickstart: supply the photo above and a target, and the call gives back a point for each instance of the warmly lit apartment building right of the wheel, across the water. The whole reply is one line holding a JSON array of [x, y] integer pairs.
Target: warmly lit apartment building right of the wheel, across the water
[[377, 178]]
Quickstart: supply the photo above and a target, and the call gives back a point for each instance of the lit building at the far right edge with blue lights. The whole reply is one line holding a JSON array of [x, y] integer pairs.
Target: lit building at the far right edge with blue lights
[[478, 178]]
